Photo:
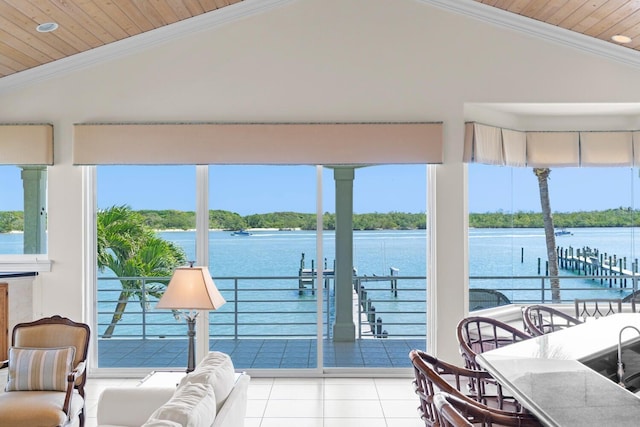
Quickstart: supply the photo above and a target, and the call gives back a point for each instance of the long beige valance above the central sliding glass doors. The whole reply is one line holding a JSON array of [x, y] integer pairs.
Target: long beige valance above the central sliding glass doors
[[327, 144]]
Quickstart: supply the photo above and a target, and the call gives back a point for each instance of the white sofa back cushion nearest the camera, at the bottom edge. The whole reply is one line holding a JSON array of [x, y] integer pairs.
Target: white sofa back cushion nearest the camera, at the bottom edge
[[192, 405]]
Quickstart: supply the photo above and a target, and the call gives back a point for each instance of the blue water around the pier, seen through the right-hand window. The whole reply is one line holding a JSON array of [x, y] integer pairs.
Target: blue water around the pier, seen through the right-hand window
[[517, 253]]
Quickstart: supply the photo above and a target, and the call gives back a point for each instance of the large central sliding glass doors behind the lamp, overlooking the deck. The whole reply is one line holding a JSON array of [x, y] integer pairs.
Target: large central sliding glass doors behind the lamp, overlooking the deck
[[262, 245]]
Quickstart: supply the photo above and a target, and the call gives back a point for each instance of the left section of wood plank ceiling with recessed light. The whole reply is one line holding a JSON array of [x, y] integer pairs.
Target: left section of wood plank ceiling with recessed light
[[83, 25]]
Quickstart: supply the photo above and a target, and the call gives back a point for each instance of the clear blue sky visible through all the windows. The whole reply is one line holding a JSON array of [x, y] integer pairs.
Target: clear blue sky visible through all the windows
[[261, 189]]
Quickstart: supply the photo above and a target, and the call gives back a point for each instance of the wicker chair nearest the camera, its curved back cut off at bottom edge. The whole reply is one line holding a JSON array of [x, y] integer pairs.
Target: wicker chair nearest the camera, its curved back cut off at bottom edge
[[455, 412]]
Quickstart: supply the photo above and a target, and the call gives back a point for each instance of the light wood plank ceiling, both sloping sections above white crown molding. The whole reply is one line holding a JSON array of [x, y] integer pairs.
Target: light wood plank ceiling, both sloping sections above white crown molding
[[84, 25]]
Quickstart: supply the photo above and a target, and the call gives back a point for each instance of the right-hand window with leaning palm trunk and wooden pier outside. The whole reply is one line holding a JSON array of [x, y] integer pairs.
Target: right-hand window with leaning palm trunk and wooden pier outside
[[595, 217]]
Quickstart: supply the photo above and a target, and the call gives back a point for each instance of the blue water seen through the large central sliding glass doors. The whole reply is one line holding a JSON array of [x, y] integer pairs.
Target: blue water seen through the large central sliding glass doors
[[276, 304]]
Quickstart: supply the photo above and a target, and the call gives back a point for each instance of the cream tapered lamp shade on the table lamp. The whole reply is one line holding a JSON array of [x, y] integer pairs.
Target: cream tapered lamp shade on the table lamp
[[191, 288]]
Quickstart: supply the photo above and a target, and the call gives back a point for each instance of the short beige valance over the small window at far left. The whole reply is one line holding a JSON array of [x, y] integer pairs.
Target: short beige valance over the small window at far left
[[26, 144]]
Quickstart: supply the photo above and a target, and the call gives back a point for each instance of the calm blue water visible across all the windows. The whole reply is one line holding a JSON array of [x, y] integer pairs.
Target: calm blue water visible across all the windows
[[492, 252]]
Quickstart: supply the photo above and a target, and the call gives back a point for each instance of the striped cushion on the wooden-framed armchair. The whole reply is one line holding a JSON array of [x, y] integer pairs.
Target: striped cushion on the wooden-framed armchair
[[39, 368]]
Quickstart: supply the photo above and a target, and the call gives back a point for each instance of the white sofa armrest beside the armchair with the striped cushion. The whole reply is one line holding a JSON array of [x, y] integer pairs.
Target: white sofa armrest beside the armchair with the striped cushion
[[130, 406]]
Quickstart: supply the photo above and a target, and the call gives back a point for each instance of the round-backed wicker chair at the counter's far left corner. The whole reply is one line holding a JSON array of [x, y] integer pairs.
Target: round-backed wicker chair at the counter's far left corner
[[478, 334]]
